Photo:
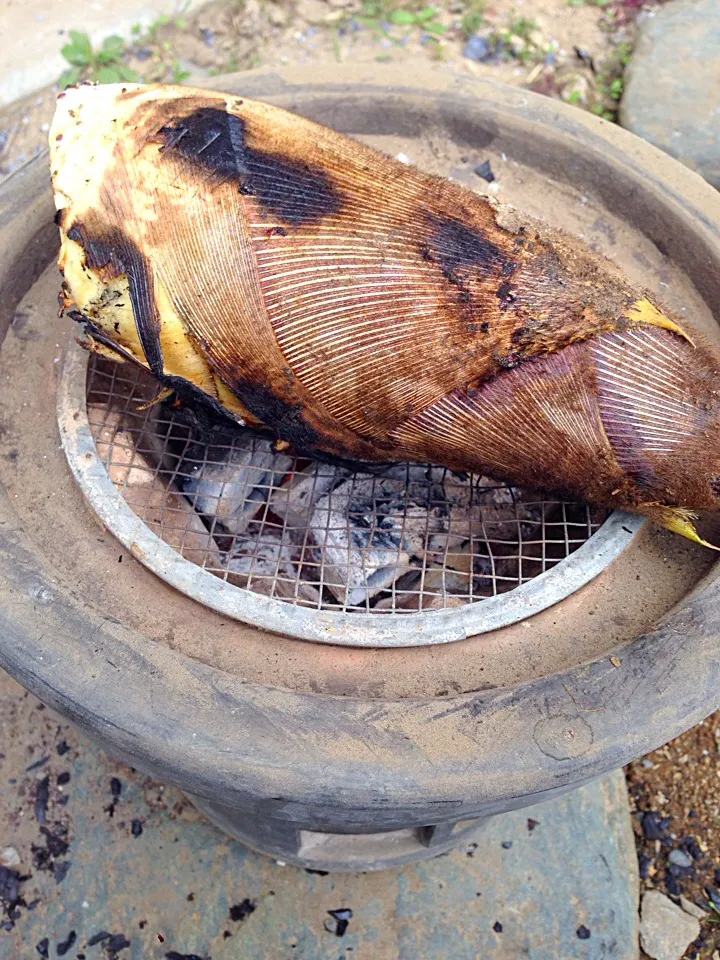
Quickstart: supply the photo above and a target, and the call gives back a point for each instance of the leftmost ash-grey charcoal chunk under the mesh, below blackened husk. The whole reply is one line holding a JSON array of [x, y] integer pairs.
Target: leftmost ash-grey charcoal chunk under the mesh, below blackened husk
[[232, 484]]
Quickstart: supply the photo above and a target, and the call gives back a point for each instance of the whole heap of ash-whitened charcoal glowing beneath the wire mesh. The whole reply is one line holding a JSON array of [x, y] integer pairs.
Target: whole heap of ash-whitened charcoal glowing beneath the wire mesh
[[410, 537]]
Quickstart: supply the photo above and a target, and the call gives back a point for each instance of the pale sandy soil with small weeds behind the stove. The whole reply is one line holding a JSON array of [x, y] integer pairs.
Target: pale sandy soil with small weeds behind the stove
[[574, 50]]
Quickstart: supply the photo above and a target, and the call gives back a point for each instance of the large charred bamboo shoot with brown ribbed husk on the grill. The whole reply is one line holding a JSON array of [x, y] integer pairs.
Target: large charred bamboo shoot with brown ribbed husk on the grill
[[274, 271]]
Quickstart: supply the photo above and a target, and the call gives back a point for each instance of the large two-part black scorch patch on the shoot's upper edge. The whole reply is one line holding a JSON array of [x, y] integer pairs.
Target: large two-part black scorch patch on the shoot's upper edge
[[215, 141]]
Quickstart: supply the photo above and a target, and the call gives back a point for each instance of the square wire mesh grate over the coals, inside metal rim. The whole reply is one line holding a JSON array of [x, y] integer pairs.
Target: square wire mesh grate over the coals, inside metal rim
[[406, 538]]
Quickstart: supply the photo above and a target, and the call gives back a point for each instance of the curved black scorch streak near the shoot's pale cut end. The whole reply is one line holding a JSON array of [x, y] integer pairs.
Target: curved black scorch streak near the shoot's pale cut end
[[113, 252]]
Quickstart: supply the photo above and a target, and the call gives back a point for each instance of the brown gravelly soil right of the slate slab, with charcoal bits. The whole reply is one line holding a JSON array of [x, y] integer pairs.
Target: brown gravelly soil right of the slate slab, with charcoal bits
[[675, 797]]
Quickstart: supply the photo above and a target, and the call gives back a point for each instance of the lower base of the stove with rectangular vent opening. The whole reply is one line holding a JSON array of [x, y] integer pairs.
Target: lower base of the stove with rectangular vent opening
[[338, 852]]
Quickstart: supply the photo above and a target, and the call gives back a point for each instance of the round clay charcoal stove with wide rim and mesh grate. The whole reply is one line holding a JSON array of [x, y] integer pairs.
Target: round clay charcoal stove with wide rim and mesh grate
[[342, 668]]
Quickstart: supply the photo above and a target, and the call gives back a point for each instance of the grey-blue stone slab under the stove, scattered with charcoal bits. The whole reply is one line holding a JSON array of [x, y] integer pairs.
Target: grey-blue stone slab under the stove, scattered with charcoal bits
[[107, 864]]
